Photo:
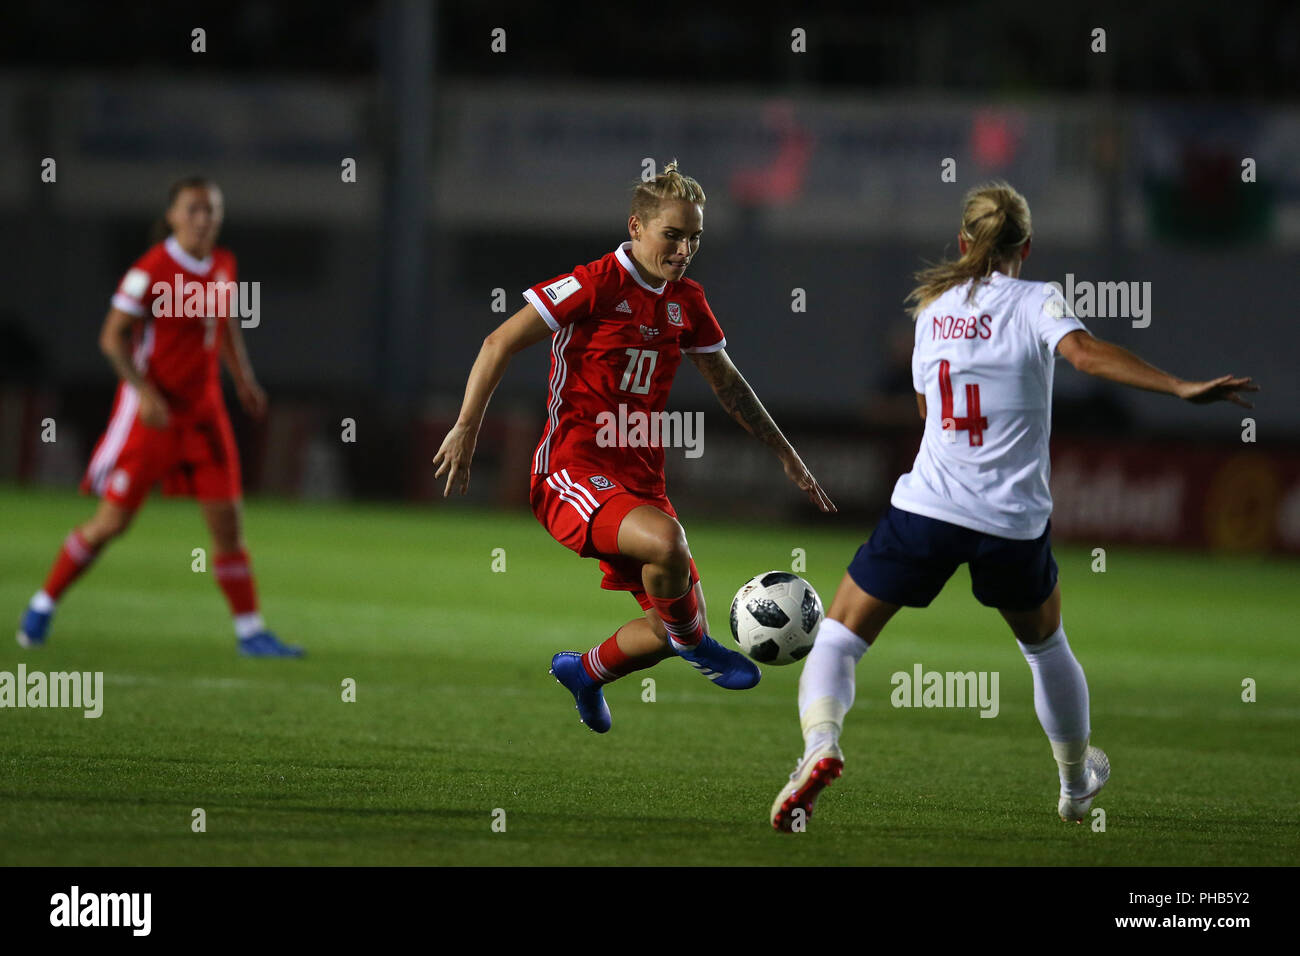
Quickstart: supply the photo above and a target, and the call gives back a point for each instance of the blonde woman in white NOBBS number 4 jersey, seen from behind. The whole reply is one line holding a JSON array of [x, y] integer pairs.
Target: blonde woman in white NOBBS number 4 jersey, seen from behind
[[978, 494]]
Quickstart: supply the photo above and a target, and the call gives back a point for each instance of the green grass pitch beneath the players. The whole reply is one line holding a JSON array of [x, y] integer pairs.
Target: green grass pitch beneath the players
[[456, 716]]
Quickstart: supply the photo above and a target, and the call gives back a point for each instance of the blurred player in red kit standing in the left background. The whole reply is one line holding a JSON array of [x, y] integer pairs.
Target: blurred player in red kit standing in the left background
[[170, 422]]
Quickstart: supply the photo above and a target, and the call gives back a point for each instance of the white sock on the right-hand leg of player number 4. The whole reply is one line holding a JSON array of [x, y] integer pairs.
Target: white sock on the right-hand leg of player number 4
[[1061, 703]]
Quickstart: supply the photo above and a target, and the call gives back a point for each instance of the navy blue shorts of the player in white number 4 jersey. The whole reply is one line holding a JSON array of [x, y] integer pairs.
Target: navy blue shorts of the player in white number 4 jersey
[[909, 559]]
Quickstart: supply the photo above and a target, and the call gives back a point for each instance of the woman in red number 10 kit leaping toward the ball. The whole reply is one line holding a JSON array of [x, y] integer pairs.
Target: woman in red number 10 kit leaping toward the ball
[[618, 328]]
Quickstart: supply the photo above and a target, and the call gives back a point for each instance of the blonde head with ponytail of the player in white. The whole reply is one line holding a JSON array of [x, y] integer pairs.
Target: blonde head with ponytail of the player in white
[[995, 224]]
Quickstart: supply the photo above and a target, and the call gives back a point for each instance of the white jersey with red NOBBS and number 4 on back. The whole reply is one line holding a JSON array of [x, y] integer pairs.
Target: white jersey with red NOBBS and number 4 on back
[[986, 369]]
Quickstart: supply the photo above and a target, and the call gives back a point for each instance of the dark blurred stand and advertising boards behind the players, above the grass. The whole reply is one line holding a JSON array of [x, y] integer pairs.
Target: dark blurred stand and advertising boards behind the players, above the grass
[[483, 171]]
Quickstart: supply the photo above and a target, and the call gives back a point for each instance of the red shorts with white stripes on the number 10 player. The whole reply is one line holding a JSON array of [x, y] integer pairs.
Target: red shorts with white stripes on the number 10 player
[[584, 512]]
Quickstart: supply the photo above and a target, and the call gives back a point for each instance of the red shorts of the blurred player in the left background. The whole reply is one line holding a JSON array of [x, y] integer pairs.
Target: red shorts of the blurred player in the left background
[[194, 457]]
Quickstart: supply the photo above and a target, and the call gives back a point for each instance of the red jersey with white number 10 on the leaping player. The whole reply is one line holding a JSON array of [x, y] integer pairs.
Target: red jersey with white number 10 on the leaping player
[[618, 343]]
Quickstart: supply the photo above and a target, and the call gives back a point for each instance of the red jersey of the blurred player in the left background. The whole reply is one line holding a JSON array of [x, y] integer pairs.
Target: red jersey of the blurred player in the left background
[[177, 353]]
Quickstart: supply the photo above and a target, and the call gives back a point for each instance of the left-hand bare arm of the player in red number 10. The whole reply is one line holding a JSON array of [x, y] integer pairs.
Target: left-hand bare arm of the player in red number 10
[[521, 331]]
